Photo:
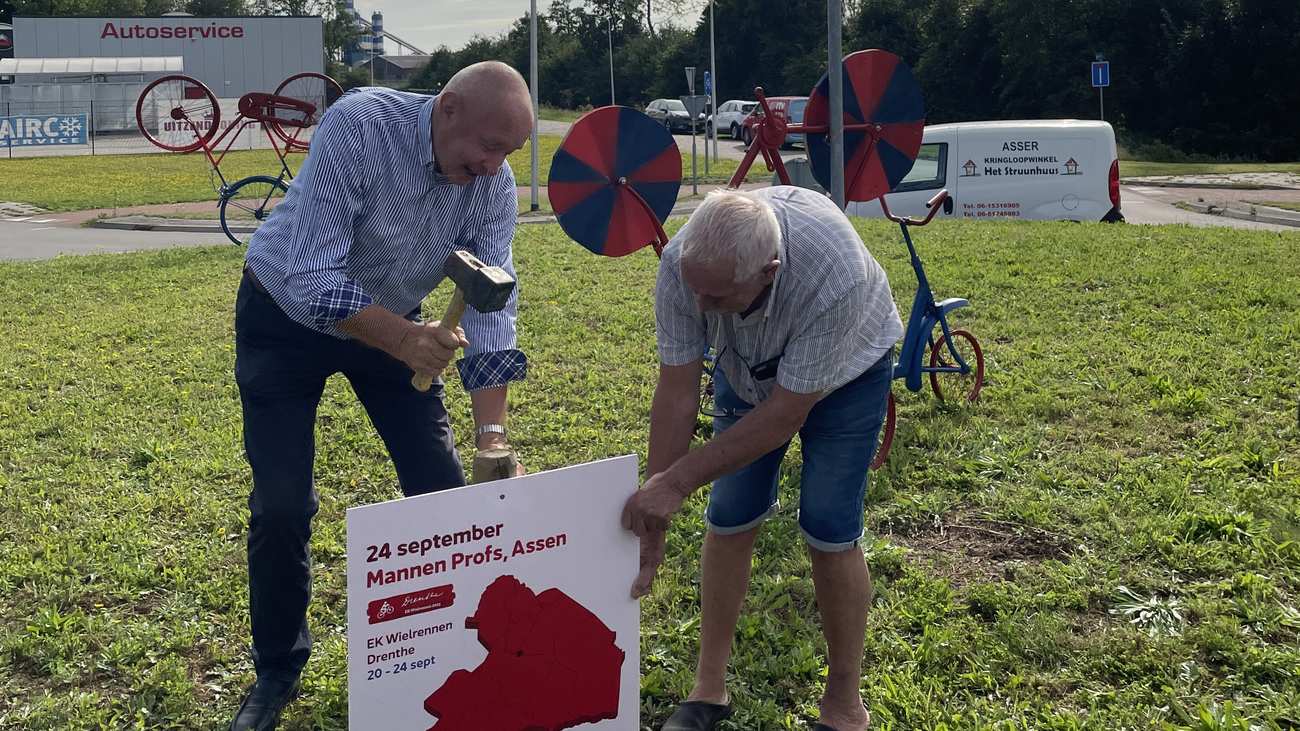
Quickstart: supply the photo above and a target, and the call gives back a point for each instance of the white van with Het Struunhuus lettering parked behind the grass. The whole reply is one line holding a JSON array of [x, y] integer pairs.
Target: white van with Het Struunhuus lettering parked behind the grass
[[1042, 170]]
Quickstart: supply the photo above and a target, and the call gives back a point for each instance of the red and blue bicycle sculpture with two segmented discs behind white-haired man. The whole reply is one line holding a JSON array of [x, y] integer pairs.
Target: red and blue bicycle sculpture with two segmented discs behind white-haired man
[[616, 179]]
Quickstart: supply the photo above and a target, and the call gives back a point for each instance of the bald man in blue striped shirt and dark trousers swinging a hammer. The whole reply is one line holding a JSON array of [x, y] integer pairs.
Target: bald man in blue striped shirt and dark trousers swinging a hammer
[[333, 282]]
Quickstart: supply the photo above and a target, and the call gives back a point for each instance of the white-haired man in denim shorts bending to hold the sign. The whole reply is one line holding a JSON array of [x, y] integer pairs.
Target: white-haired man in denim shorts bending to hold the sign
[[804, 323]]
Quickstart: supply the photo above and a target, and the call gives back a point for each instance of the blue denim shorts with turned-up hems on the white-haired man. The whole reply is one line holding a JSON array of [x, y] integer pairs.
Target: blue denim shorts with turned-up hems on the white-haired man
[[839, 442]]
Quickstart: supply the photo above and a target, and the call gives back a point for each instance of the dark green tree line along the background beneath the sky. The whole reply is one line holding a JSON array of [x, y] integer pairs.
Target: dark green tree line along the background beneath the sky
[[1211, 79]]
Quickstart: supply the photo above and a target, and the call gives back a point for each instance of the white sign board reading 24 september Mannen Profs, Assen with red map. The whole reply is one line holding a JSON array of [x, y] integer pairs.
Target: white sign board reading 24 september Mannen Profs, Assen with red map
[[497, 607]]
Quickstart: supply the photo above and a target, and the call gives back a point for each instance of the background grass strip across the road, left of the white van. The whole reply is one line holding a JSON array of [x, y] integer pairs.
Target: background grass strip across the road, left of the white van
[[109, 181]]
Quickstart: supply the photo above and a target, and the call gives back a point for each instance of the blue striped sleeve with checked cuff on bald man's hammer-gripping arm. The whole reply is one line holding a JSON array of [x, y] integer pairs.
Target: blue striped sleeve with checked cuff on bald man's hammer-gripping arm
[[331, 188]]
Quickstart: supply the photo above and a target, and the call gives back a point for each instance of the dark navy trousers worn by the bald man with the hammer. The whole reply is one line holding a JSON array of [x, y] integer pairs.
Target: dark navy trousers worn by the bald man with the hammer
[[281, 369]]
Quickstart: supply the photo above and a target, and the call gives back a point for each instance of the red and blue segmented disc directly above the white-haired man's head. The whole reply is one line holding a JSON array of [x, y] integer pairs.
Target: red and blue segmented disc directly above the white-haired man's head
[[609, 158]]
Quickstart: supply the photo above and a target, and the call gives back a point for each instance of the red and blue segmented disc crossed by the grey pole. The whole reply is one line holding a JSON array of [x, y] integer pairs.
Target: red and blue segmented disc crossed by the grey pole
[[879, 90]]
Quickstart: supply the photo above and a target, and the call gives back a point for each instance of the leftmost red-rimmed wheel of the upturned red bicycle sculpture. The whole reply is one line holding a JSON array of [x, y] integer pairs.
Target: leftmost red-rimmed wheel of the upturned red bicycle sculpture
[[177, 114]]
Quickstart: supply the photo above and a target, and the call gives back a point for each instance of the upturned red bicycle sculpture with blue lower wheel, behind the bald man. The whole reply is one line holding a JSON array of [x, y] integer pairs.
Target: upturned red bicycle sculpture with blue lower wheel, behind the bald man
[[180, 114]]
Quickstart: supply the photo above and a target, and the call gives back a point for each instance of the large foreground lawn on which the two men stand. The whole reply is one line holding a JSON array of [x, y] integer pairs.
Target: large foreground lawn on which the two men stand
[[1110, 539]]
